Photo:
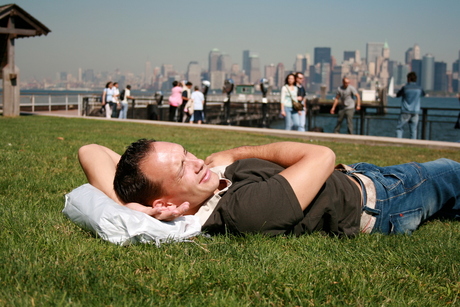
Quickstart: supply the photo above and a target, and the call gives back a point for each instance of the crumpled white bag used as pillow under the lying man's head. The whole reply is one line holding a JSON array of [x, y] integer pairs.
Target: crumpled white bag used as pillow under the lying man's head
[[92, 210]]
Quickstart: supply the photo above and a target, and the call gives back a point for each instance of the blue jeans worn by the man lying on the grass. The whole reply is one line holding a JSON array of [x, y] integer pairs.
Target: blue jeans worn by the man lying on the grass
[[409, 194]]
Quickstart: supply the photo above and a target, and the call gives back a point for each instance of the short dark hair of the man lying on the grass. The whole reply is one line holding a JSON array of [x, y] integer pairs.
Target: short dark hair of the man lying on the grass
[[130, 183]]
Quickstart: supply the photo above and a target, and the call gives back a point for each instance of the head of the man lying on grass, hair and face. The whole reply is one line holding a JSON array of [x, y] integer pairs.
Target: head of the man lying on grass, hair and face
[[163, 174]]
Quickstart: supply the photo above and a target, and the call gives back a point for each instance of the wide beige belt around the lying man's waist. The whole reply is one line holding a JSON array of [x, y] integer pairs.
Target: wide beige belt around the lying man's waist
[[367, 220]]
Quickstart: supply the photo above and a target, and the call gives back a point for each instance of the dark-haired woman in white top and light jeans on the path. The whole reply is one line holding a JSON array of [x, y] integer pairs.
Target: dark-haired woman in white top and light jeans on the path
[[288, 93]]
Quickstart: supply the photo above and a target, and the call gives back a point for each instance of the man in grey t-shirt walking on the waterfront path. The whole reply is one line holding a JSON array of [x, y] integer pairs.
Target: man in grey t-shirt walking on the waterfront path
[[346, 94]]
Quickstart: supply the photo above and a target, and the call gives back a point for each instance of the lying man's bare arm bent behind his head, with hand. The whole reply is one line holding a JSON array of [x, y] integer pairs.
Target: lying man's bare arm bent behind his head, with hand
[[99, 164]]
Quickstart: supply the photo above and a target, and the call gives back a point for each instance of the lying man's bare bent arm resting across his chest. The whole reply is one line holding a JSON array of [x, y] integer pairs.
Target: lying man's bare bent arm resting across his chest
[[307, 166]]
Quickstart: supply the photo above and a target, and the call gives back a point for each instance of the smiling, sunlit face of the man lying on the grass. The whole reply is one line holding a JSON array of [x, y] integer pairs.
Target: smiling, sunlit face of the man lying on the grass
[[184, 177]]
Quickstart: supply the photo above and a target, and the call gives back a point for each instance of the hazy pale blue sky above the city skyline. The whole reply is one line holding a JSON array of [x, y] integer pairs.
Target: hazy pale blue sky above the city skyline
[[105, 35]]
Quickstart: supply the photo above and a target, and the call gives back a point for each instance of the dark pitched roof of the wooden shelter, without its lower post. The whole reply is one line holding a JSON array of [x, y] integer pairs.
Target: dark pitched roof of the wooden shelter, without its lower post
[[16, 23]]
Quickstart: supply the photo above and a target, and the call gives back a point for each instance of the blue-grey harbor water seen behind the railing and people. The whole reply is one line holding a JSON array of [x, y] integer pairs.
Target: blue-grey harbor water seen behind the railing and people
[[440, 126]]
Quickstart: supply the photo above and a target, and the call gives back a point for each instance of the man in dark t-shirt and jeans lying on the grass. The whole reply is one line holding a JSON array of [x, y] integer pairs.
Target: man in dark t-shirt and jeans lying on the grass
[[278, 188]]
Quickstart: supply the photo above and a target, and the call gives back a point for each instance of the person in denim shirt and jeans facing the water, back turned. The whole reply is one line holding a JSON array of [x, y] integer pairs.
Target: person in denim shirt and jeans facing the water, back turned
[[410, 106]]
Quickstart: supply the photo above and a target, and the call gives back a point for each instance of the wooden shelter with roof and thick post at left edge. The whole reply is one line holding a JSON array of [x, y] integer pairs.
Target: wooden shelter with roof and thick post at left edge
[[14, 23]]
